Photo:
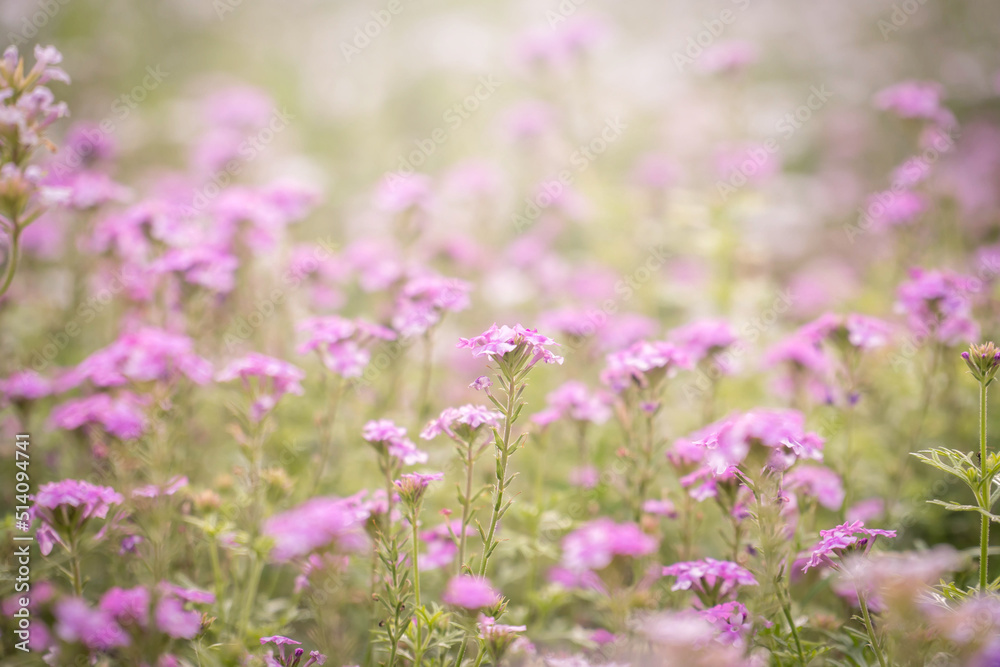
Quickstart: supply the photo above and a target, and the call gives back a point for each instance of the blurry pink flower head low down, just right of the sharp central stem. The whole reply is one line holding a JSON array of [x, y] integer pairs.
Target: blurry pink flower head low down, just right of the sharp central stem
[[595, 544]]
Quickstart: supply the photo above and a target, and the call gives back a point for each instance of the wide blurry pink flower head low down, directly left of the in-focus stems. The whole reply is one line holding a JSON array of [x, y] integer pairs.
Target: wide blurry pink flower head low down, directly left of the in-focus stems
[[317, 524]]
